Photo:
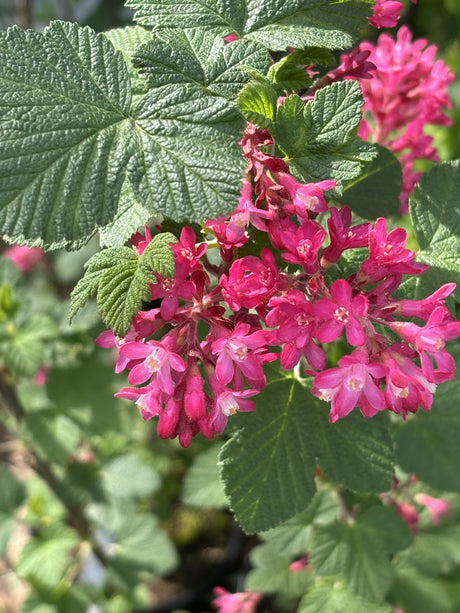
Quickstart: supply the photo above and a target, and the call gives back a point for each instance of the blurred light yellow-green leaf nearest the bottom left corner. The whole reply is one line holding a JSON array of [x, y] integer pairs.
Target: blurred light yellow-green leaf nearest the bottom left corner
[[44, 560]]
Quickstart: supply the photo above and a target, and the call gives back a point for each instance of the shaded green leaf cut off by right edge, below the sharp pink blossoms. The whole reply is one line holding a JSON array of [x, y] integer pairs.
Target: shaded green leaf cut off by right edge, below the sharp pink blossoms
[[427, 444]]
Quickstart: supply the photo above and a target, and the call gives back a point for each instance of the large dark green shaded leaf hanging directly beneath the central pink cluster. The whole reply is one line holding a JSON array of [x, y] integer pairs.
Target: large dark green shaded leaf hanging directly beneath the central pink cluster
[[269, 464]]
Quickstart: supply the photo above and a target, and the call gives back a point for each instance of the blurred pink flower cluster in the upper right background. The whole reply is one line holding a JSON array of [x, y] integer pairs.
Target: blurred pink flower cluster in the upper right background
[[407, 92]]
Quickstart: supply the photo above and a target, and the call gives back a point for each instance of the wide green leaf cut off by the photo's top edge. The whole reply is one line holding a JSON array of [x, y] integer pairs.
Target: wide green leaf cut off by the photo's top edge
[[275, 24]]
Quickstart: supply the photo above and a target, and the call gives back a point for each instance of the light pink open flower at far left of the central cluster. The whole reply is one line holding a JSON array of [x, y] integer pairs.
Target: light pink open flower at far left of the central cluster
[[155, 361]]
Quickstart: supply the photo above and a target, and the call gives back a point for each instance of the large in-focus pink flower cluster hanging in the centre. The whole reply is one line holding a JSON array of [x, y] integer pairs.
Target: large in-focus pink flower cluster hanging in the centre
[[199, 357]]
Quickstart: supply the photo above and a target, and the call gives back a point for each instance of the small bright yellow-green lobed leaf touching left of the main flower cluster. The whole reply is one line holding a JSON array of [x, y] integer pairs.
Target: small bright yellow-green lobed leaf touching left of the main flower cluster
[[121, 279]]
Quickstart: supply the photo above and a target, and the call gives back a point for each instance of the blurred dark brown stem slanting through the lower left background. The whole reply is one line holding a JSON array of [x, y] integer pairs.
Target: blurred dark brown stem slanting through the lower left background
[[77, 519]]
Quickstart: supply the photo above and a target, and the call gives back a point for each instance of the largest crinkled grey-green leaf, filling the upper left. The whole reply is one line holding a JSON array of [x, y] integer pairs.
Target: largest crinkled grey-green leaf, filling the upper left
[[62, 167]]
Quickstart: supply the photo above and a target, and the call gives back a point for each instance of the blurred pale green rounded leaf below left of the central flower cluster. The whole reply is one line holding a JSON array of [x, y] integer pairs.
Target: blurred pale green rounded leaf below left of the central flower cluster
[[128, 477]]
